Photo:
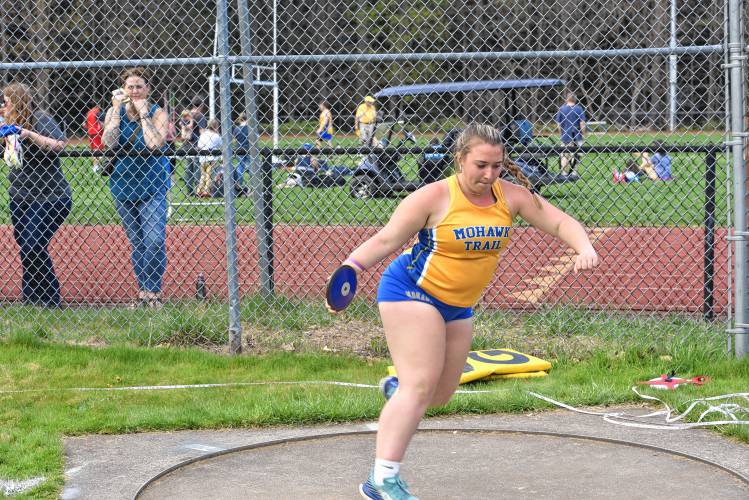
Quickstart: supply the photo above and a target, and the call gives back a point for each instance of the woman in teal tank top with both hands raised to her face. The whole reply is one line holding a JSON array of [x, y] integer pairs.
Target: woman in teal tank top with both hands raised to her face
[[139, 184]]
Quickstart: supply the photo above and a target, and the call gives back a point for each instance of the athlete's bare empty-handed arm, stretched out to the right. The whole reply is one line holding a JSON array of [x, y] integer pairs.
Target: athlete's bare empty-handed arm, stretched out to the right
[[555, 222]]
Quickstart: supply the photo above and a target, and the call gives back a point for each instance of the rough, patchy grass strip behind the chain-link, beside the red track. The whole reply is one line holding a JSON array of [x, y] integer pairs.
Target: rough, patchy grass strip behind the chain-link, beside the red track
[[554, 331]]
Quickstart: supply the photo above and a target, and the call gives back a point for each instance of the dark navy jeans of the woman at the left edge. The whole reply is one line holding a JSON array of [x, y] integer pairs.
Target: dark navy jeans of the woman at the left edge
[[34, 225]]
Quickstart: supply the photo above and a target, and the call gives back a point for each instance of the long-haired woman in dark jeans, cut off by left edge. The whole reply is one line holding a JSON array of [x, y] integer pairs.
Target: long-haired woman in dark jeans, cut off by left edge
[[40, 197]]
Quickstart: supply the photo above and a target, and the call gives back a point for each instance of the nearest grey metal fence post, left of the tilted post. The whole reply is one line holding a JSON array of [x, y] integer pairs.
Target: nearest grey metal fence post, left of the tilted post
[[232, 277]]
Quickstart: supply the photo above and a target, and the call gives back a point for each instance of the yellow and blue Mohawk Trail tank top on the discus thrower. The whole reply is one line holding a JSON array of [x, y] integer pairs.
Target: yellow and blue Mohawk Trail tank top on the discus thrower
[[455, 260]]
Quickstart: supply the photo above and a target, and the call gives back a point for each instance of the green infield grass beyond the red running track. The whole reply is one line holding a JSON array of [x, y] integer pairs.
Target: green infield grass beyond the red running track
[[594, 200]]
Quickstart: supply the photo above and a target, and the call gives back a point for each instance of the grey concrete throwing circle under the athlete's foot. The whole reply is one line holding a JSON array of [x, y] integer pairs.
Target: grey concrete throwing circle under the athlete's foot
[[452, 464]]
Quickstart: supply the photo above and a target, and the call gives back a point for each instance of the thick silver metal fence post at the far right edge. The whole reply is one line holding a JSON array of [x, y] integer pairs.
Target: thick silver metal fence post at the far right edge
[[736, 58]]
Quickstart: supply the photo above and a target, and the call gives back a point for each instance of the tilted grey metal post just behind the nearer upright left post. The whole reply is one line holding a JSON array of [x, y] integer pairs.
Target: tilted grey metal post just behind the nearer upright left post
[[261, 228]]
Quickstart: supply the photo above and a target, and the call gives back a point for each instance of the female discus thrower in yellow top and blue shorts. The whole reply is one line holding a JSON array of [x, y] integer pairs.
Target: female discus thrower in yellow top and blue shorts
[[426, 295]]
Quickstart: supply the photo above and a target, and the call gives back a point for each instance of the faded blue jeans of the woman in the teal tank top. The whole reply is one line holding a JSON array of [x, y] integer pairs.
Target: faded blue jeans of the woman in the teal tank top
[[145, 226]]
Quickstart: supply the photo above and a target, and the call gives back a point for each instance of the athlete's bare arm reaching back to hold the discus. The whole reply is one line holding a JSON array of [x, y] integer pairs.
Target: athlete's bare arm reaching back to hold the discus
[[409, 217]]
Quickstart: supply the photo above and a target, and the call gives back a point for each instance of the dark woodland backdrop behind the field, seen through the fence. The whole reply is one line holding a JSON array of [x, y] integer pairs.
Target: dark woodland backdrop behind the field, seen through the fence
[[630, 91]]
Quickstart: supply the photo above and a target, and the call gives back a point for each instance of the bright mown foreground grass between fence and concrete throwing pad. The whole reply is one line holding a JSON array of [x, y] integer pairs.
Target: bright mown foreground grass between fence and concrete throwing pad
[[34, 422]]
